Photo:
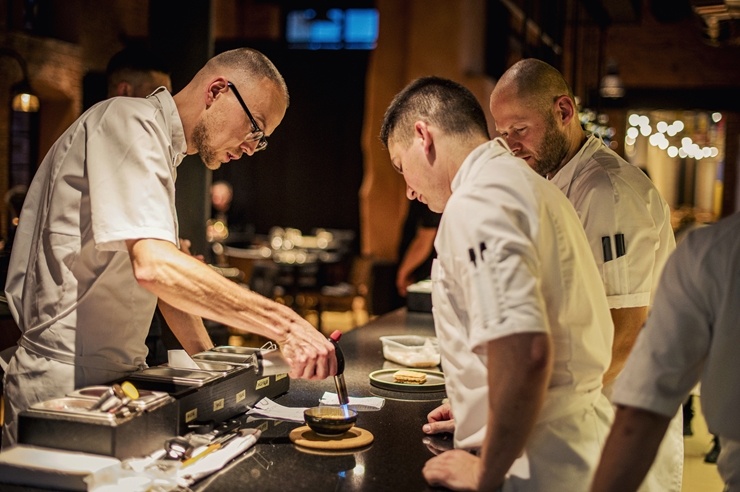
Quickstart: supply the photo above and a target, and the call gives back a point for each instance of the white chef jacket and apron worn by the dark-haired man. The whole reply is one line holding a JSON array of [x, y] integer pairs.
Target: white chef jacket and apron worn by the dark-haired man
[[512, 258]]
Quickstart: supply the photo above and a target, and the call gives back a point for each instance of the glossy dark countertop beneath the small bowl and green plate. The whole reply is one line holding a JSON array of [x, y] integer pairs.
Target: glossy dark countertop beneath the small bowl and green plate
[[392, 462]]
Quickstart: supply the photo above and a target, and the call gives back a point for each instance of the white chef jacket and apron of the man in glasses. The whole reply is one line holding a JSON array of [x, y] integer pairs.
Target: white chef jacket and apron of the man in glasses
[[109, 178]]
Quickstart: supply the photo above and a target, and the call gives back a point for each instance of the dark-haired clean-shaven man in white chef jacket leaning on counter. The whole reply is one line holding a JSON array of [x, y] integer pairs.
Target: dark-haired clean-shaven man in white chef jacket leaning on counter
[[519, 310]]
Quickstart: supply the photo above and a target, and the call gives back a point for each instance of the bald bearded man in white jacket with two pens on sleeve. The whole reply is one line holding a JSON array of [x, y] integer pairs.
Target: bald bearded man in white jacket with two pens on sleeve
[[627, 222]]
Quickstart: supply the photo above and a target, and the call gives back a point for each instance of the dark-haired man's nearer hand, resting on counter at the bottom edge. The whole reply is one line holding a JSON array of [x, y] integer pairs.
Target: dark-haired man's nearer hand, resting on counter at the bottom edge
[[455, 470]]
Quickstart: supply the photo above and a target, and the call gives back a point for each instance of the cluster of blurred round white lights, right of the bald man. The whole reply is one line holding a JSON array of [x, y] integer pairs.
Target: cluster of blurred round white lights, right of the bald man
[[664, 134]]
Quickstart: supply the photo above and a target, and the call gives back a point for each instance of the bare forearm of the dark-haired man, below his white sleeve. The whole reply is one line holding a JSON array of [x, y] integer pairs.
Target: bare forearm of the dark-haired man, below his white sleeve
[[518, 374]]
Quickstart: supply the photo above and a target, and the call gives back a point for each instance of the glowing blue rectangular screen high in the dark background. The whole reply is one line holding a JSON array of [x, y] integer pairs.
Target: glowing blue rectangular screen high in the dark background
[[338, 29]]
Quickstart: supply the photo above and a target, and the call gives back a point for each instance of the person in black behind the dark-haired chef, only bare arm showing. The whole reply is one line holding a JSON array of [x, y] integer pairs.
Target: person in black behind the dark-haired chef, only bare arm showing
[[416, 249]]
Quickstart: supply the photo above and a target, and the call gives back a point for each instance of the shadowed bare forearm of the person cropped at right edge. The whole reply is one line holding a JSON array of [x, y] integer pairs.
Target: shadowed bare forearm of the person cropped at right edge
[[630, 450]]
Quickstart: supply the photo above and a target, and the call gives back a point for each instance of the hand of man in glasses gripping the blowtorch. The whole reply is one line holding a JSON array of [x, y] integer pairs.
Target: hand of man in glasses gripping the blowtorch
[[309, 353]]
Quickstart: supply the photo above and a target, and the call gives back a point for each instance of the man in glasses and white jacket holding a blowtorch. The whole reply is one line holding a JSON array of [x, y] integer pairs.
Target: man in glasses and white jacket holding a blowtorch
[[97, 242]]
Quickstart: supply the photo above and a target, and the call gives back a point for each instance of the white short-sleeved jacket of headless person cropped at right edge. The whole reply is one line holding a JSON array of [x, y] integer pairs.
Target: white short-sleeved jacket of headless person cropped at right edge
[[692, 334]]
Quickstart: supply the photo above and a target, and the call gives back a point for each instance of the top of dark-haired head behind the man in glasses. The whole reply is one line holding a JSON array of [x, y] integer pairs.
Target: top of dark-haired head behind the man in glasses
[[136, 72]]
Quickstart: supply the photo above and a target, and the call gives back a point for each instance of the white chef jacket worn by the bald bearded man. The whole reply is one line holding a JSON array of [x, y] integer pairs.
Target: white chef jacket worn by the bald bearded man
[[614, 197]]
